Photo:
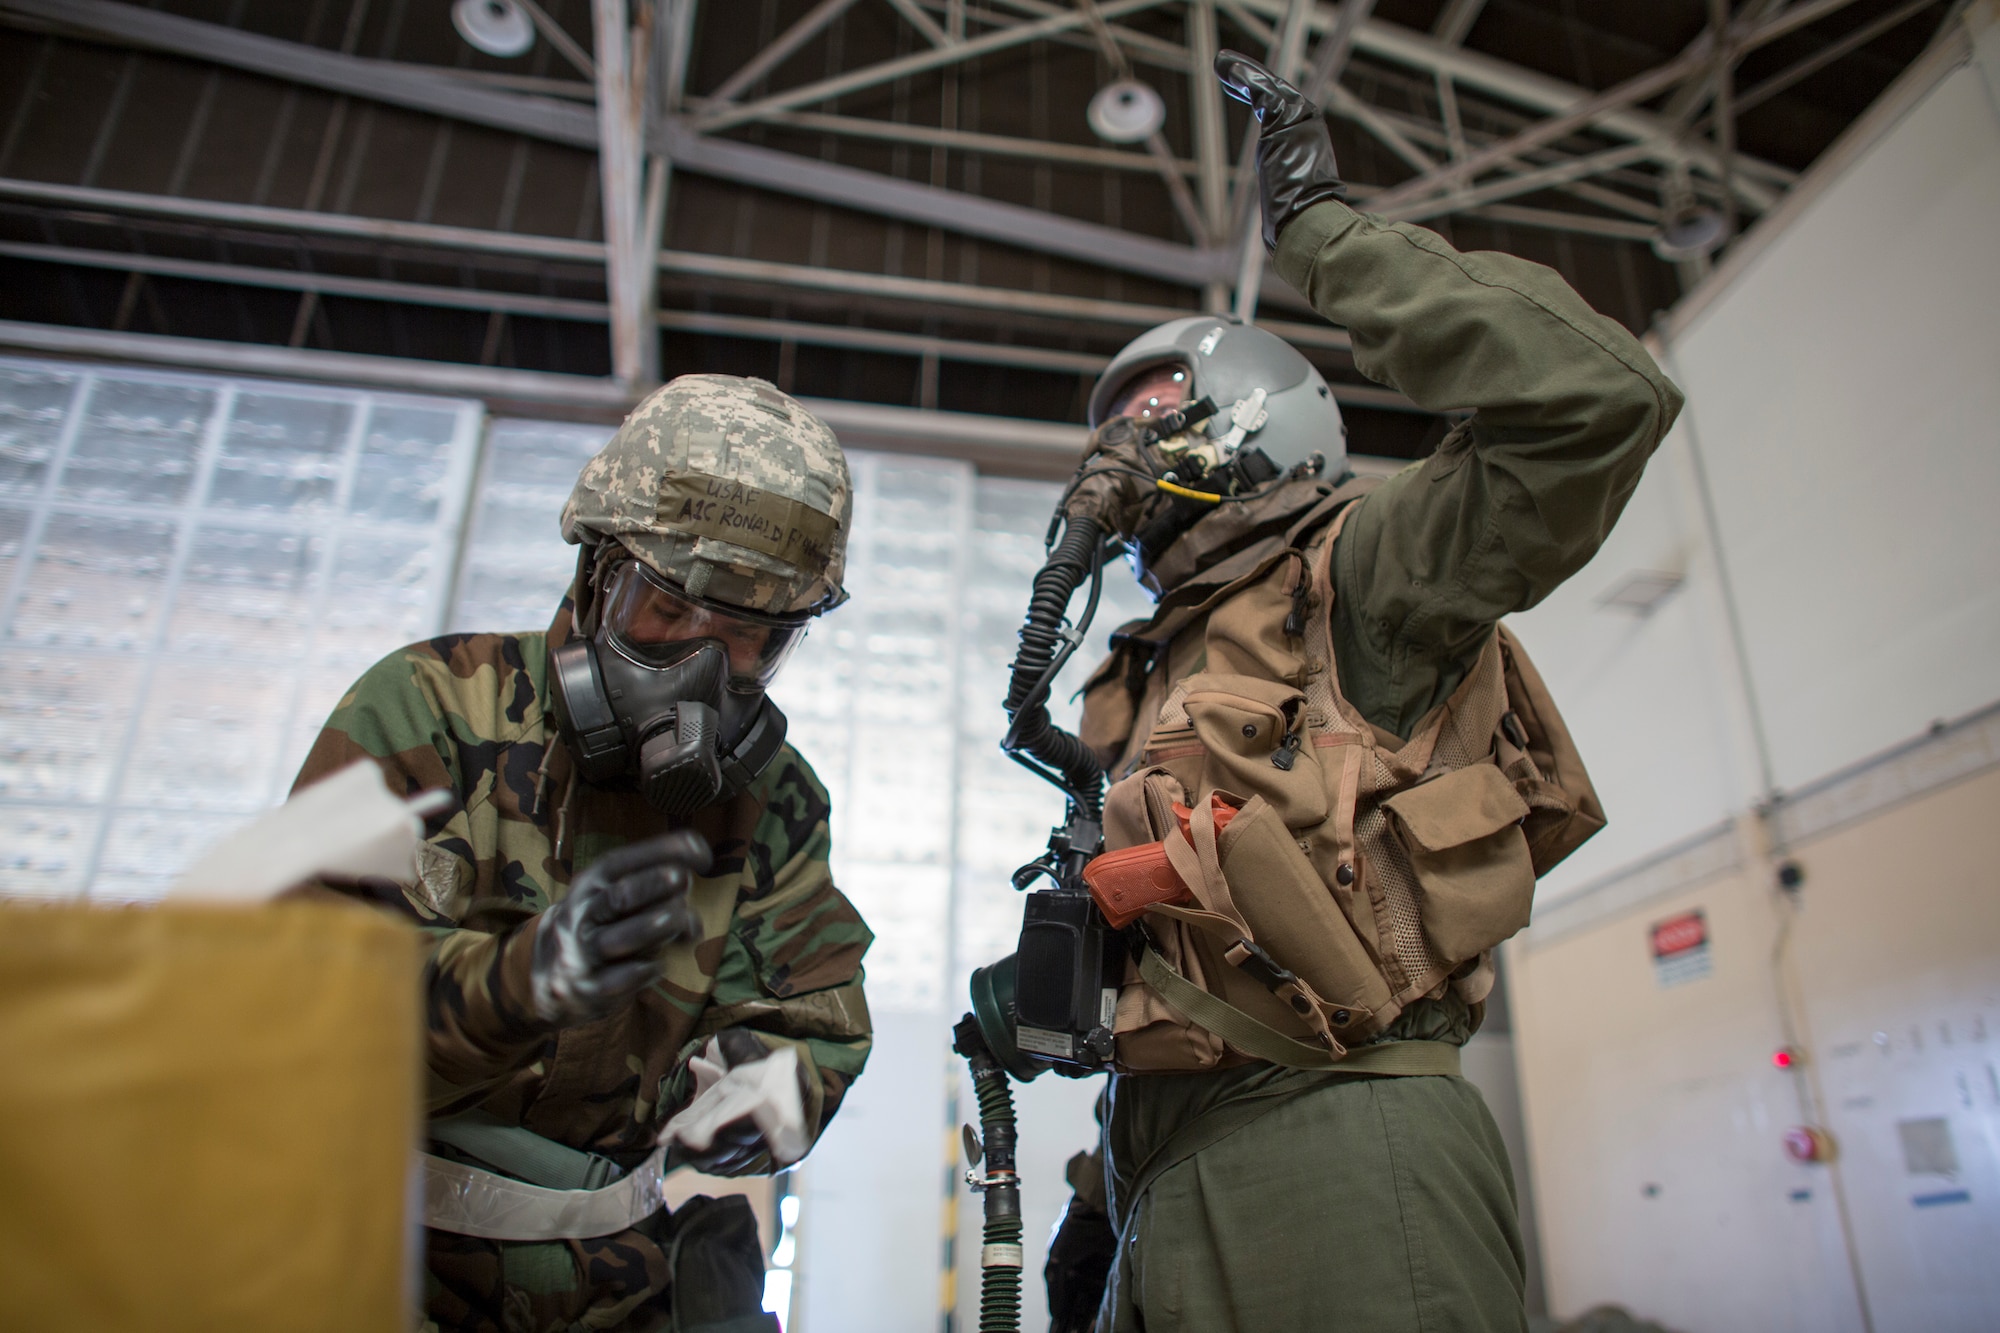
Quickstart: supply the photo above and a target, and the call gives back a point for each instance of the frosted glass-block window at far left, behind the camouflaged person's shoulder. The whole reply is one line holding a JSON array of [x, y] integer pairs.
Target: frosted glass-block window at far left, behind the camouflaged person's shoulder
[[191, 571]]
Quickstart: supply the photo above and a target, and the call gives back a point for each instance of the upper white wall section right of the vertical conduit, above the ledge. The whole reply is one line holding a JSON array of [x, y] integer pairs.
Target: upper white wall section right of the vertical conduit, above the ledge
[[1845, 395]]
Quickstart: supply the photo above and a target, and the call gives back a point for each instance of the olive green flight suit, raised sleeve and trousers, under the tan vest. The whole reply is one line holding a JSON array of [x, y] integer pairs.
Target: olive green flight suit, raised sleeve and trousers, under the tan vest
[[1269, 1200]]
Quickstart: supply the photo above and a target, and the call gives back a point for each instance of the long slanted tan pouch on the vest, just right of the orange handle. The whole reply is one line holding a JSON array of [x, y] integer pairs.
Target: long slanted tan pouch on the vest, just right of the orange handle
[[1295, 918]]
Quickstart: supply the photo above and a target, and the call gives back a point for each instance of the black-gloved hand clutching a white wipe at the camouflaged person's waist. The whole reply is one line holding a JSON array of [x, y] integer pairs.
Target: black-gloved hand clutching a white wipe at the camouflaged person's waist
[[749, 1100]]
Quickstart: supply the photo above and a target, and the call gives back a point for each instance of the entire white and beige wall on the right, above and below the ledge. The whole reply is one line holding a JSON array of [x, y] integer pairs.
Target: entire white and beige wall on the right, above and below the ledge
[[1843, 405]]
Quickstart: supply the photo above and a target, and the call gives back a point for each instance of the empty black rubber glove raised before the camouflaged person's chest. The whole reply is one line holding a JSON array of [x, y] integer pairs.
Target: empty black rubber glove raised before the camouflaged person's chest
[[601, 946]]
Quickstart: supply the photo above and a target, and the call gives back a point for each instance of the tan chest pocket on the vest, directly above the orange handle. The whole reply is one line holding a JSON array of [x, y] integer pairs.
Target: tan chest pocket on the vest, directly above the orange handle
[[1257, 740]]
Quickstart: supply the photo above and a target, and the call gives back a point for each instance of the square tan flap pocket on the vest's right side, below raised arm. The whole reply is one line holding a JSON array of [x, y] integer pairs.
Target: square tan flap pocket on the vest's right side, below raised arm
[[1471, 858]]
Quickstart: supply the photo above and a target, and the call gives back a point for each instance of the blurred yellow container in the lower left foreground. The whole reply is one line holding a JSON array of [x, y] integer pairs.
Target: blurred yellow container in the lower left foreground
[[207, 1118]]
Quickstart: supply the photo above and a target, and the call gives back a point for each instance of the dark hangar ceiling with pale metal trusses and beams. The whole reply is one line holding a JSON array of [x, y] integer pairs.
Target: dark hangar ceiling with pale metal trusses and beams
[[893, 207]]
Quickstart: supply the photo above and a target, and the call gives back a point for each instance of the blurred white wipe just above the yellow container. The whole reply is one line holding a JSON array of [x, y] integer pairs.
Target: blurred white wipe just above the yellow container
[[345, 826]]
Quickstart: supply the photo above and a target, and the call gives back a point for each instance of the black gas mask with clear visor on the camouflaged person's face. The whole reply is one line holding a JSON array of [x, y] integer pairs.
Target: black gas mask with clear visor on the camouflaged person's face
[[669, 694]]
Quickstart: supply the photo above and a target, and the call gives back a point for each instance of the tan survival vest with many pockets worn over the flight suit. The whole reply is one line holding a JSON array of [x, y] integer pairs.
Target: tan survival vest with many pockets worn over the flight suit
[[1359, 872]]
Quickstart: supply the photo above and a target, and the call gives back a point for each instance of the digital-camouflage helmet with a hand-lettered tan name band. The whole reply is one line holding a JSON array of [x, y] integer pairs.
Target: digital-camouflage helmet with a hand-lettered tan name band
[[729, 489]]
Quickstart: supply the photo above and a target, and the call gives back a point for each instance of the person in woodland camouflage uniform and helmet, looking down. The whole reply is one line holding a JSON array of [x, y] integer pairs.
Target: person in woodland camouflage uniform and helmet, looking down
[[717, 497]]
